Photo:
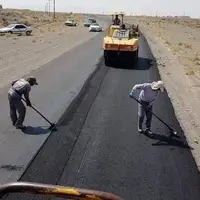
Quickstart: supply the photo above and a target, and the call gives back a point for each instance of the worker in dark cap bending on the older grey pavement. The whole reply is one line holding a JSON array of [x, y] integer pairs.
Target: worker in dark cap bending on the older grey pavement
[[20, 87]]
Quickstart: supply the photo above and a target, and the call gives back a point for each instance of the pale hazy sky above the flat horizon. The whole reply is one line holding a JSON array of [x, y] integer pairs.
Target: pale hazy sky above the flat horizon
[[146, 7]]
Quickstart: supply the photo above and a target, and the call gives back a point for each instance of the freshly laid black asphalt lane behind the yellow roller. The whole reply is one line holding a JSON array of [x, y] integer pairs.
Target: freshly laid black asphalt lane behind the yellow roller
[[97, 145]]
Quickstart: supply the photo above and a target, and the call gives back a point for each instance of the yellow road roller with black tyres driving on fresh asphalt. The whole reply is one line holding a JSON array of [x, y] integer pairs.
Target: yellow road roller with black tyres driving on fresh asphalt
[[121, 42]]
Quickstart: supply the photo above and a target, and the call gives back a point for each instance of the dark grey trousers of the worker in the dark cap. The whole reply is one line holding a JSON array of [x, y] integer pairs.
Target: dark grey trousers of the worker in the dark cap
[[16, 106]]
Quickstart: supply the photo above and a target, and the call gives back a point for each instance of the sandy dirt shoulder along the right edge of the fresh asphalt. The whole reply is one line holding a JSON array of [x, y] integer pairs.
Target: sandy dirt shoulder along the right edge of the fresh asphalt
[[175, 44]]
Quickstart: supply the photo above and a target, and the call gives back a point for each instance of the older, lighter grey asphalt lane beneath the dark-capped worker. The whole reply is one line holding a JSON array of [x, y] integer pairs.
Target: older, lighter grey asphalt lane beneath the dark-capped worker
[[59, 82]]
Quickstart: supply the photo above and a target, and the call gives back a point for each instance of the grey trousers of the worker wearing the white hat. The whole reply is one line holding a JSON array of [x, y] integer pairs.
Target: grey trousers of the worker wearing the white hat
[[141, 114]]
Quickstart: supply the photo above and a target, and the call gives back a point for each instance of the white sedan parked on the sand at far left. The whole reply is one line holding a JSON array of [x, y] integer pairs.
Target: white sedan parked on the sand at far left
[[16, 28]]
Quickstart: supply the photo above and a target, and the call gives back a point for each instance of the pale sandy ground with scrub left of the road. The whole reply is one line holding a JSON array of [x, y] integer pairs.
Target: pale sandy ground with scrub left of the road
[[21, 54]]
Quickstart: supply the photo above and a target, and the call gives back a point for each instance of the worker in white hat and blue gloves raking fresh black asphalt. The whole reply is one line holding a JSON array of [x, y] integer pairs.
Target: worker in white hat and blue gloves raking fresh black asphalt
[[149, 93]]
